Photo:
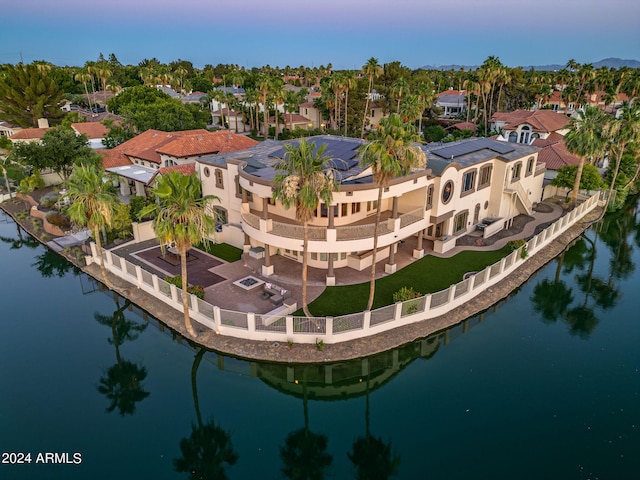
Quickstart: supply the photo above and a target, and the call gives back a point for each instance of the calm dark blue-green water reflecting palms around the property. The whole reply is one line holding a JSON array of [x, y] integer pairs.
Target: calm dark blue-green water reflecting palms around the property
[[545, 385]]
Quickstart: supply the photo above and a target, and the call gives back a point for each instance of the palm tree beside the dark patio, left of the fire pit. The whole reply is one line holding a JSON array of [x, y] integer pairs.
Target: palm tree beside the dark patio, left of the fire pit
[[183, 218]]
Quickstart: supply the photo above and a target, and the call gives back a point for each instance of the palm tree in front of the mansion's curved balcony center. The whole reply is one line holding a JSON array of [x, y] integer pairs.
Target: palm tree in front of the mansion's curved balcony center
[[303, 179]]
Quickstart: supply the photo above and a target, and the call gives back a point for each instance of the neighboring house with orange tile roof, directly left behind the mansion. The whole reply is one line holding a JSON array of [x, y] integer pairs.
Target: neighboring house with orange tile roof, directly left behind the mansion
[[136, 161]]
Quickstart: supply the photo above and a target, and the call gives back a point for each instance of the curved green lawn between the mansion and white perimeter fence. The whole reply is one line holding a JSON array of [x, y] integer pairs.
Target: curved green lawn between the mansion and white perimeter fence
[[427, 275]]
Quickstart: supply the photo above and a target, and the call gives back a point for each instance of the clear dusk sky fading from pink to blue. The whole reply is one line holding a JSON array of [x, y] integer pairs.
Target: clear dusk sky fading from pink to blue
[[344, 33]]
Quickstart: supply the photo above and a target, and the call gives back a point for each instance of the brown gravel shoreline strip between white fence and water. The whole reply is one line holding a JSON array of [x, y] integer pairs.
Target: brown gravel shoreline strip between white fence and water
[[281, 352]]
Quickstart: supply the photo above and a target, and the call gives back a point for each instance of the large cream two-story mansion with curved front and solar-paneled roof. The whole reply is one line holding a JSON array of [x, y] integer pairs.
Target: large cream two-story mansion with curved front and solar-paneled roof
[[465, 182]]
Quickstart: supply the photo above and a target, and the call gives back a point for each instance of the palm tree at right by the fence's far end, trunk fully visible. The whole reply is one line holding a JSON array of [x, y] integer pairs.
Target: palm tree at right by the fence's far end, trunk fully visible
[[584, 139]]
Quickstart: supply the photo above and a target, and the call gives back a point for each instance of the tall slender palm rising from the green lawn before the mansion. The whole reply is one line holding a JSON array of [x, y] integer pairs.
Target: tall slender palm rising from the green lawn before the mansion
[[391, 152]]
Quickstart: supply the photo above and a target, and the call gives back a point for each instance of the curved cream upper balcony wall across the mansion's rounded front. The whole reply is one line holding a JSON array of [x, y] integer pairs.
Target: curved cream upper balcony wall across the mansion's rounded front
[[354, 237]]
